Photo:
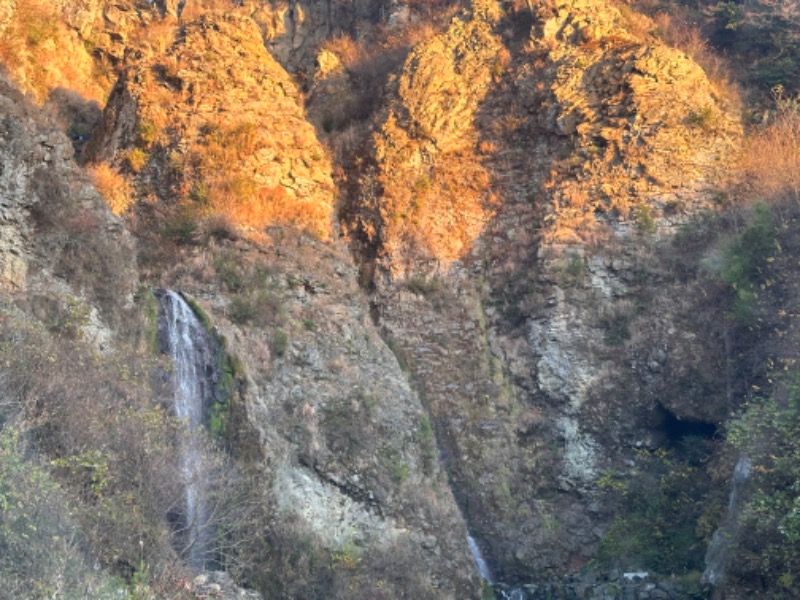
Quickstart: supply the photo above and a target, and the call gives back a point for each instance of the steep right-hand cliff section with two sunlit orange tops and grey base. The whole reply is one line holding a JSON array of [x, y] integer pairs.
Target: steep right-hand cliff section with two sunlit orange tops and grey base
[[509, 225]]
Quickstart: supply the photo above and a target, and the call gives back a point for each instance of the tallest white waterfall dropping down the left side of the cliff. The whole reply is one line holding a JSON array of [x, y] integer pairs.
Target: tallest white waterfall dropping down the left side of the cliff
[[185, 340]]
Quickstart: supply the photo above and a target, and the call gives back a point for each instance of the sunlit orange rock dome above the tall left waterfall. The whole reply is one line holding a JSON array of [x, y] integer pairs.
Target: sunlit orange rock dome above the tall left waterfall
[[236, 145]]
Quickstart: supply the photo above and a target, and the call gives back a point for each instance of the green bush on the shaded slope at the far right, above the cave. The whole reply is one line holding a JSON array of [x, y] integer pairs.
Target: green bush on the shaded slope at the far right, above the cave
[[745, 260]]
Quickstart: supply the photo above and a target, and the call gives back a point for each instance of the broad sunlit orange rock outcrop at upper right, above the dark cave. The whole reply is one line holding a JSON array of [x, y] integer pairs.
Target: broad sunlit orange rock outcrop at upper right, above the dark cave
[[648, 130]]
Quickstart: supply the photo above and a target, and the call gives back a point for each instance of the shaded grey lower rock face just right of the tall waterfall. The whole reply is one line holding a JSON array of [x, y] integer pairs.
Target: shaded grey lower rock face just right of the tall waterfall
[[350, 455]]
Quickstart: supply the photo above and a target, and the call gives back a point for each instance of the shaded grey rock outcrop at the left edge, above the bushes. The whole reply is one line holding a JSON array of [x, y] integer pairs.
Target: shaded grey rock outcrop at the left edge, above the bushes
[[57, 230]]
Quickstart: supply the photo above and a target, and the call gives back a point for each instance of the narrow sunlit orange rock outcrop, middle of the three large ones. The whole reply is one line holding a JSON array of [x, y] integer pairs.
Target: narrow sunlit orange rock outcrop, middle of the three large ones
[[435, 197]]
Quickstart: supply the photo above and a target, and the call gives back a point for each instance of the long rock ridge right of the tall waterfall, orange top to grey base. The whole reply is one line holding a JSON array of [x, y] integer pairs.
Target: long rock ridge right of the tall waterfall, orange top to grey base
[[236, 209]]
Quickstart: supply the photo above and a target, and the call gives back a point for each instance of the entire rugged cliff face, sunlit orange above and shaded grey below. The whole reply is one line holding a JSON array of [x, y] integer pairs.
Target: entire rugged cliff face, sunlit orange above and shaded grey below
[[518, 329]]
